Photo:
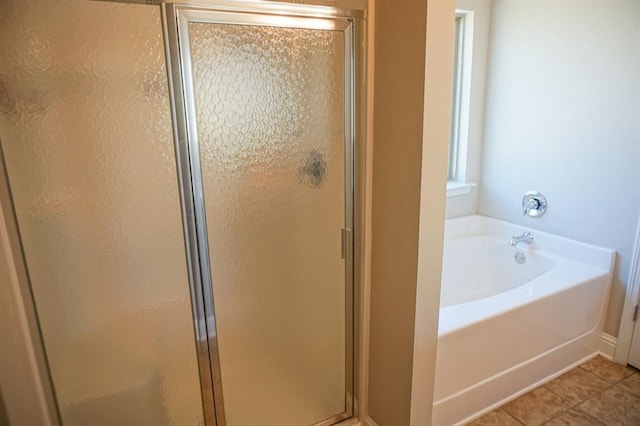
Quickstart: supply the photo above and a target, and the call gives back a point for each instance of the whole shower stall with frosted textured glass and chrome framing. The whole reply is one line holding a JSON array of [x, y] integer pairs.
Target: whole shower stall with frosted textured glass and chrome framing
[[184, 181]]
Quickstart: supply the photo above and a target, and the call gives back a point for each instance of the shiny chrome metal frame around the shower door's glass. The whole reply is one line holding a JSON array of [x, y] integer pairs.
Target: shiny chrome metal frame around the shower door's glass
[[176, 19]]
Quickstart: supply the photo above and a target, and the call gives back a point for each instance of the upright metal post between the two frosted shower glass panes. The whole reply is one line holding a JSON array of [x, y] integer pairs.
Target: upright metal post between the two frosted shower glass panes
[[189, 175]]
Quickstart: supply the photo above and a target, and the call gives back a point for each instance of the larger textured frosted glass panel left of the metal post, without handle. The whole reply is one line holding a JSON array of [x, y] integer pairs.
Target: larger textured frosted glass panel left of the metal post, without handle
[[85, 126]]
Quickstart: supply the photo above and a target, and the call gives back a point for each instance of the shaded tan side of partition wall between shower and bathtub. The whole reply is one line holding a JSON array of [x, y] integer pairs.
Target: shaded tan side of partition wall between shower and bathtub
[[400, 37]]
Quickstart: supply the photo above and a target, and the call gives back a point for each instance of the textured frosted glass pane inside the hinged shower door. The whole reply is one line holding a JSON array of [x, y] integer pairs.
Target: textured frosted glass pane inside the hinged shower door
[[270, 113]]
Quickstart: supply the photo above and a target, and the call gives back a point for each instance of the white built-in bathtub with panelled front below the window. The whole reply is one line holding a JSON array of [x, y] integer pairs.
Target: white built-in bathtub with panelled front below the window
[[506, 327]]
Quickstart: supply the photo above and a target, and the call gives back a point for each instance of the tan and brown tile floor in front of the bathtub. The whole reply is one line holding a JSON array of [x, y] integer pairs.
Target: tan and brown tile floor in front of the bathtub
[[598, 392]]
